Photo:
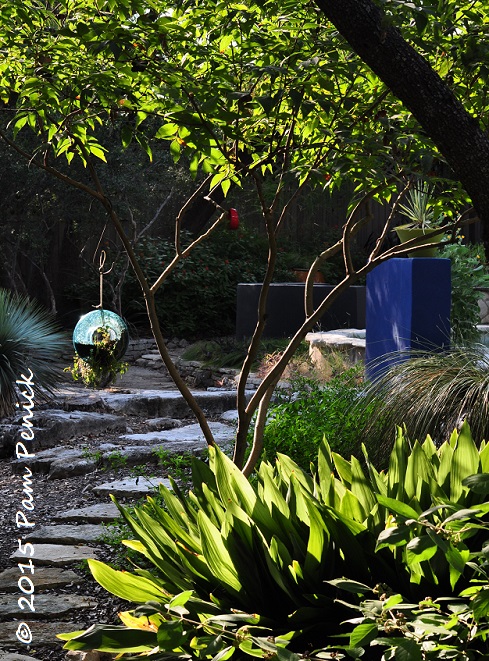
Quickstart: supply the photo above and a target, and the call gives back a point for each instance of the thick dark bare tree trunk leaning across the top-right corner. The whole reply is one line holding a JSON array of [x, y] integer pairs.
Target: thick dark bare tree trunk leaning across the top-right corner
[[409, 76]]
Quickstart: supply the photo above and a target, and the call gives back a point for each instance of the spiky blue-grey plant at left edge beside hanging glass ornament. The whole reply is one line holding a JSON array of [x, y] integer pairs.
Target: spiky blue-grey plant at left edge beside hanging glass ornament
[[29, 340]]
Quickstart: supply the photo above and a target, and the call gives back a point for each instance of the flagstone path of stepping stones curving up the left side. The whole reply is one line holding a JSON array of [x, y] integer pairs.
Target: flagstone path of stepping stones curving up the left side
[[74, 442]]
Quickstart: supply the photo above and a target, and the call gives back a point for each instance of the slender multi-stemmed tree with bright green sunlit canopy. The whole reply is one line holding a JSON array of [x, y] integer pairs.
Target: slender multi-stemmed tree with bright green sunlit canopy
[[255, 91]]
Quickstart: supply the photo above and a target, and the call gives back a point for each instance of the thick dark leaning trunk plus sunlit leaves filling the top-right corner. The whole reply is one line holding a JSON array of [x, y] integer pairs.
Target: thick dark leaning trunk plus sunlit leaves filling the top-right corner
[[434, 58]]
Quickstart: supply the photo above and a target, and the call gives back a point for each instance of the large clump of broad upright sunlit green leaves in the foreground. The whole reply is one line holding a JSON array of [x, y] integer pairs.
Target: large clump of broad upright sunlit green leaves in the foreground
[[242, 568]]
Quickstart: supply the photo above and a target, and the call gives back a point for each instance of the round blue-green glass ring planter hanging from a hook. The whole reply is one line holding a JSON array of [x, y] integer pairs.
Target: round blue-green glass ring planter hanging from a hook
[[95, 327]]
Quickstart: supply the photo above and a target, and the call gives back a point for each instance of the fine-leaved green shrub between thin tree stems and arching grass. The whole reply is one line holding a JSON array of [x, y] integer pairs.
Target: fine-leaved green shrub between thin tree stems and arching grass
[[297, 424]]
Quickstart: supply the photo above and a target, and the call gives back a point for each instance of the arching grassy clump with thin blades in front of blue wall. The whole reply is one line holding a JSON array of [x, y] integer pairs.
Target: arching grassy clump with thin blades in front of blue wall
[[432, 394]]
